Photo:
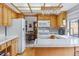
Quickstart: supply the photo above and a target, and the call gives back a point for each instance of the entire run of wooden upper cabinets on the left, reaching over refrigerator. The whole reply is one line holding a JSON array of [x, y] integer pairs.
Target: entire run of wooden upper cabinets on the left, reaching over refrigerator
[[6, 15]]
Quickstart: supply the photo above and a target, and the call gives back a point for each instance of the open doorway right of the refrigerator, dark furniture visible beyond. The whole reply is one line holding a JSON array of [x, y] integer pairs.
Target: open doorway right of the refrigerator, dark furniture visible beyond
[[31, 30]]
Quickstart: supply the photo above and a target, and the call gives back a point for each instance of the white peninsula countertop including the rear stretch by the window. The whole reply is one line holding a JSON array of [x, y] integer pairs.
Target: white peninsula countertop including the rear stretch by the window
[[60, 41]]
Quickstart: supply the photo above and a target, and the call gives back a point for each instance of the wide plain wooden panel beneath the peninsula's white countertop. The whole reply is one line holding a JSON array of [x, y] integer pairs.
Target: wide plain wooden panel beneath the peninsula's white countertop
[[54, 51]]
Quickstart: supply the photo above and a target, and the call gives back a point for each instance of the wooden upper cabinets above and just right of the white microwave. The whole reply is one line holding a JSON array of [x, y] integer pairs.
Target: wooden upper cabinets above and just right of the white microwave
[[51, 18]]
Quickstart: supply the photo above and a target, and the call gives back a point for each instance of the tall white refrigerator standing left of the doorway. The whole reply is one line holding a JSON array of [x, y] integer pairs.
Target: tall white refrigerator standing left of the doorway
[[18, 28]]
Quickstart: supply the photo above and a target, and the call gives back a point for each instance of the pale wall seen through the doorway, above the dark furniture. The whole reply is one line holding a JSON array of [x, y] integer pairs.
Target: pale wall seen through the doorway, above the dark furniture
[[30, 20]]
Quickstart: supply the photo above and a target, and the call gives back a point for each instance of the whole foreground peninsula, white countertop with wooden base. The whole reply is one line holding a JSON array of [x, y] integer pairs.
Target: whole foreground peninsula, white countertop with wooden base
[[56, 47]]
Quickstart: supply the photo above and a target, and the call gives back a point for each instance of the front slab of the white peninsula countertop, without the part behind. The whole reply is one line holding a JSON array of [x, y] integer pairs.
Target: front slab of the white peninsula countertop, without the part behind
[[56, 43]]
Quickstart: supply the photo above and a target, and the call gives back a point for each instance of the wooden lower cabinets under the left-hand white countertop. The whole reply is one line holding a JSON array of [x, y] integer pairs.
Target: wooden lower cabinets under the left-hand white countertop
[[9, 48]]
